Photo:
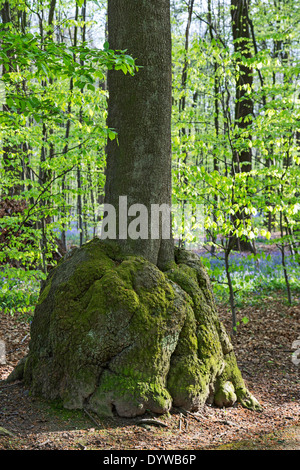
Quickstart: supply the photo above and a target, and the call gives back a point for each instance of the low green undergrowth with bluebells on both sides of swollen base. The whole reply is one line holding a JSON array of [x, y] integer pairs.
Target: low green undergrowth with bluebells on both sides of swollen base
[[254, 278]]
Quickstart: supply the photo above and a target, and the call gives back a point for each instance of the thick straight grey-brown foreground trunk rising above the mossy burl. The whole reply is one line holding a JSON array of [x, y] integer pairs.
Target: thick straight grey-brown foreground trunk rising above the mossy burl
[[139, 109]]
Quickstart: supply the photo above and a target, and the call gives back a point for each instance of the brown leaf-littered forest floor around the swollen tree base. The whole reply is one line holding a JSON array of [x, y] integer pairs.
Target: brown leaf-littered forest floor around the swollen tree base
[[264, 351]]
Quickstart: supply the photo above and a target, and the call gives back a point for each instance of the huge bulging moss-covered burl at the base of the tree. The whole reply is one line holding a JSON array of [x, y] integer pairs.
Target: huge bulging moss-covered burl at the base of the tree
[[114, 334]]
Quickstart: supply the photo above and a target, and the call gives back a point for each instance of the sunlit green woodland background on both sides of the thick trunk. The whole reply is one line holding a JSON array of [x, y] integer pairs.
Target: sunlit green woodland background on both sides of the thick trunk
[[235, 140]]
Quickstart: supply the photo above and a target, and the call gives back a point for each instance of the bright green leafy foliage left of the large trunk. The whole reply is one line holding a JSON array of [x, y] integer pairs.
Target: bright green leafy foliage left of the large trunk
[[50, 87]]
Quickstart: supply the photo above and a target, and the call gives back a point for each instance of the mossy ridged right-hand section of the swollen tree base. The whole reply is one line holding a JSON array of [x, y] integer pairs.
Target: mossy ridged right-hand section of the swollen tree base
[[194, 372]]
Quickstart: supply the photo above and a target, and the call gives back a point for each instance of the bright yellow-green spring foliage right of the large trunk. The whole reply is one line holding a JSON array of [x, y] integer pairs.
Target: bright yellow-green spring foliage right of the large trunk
[[238, 203]]
